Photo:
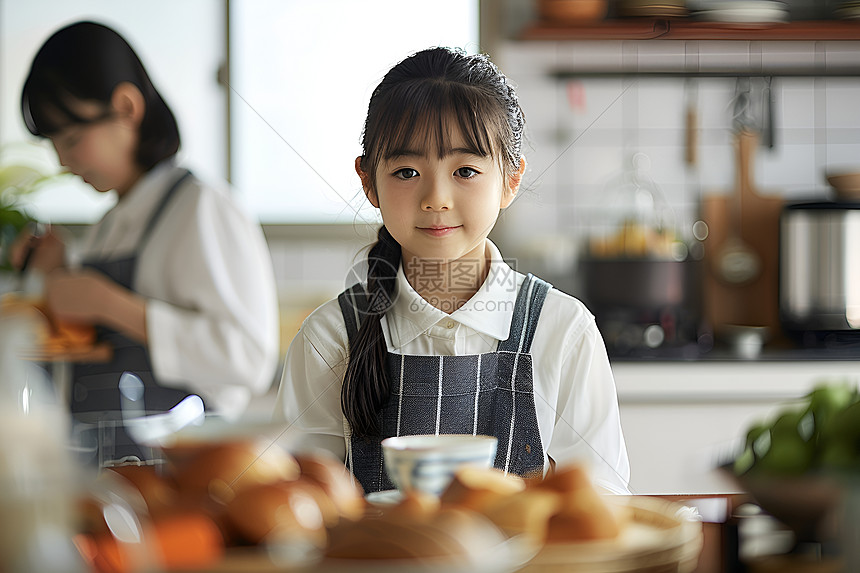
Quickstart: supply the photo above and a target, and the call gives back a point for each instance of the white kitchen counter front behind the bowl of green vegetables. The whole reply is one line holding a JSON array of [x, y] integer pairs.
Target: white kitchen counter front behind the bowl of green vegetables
[[682, 419]]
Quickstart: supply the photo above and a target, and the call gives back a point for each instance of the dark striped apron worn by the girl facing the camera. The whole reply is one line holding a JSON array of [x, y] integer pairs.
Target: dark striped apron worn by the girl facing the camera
[[490, 394]]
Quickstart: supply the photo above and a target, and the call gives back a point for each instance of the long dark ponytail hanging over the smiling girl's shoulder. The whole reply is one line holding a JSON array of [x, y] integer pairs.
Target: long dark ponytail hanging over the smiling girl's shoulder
[[366, 385]]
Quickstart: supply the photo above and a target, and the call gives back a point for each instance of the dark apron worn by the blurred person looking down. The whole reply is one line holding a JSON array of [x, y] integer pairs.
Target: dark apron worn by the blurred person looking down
[[95, 395]]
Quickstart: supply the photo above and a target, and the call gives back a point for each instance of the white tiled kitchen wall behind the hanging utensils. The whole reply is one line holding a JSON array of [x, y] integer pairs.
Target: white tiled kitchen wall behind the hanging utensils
[[585, 131]]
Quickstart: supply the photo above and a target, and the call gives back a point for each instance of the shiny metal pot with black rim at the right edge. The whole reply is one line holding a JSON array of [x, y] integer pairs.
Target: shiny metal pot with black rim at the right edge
[[819, 271]]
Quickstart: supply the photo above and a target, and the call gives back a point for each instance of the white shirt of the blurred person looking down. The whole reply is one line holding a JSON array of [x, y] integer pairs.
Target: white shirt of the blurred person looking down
[[206, 272]]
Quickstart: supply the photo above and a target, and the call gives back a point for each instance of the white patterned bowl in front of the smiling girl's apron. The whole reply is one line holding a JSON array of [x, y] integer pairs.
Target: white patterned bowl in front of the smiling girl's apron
[[428, 463]]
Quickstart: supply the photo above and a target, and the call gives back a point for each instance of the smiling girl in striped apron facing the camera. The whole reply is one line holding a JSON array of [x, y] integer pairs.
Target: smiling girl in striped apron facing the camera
[[445, 337]]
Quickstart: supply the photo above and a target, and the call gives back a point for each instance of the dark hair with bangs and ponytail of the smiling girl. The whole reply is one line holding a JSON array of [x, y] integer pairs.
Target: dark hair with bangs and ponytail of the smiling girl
[[418, 102]]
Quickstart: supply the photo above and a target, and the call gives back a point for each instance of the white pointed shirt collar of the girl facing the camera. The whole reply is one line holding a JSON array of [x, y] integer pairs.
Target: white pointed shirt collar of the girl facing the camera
[[488, 312]]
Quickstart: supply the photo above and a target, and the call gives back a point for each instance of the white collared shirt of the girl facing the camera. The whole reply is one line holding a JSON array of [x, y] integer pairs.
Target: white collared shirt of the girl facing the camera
[[575, 396]]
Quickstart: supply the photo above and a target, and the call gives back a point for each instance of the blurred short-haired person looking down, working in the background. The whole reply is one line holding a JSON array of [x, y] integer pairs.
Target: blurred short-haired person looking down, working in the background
[[176, 277]]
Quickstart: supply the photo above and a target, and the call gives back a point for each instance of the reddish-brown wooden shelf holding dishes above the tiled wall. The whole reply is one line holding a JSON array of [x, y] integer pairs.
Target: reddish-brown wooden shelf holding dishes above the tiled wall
[[656, 29]]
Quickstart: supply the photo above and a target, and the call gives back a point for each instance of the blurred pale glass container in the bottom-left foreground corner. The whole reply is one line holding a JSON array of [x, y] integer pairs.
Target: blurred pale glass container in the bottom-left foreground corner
[[38, 477]]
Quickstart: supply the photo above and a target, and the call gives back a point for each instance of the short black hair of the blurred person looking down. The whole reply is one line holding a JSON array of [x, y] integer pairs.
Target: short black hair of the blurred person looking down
[[85, 61]]
